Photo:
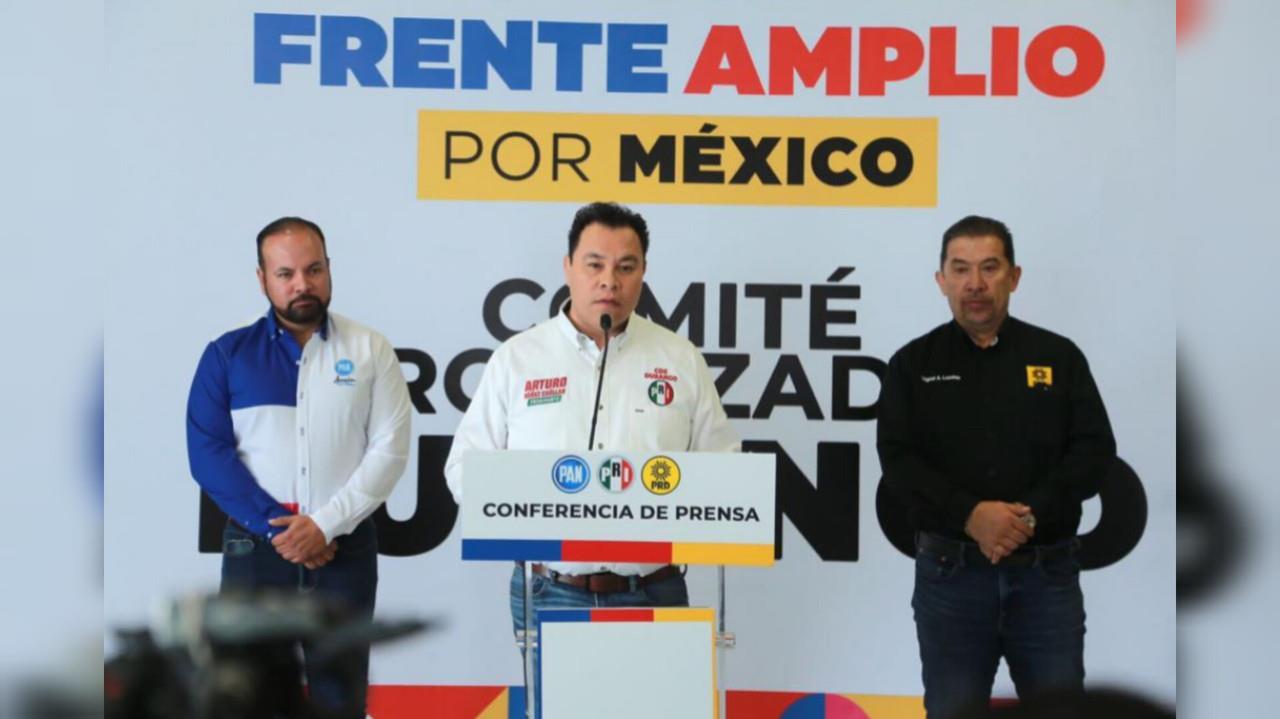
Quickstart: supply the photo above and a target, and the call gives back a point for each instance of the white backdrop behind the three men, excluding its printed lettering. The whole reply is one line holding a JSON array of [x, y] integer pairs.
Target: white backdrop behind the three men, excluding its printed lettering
[[205, 157]]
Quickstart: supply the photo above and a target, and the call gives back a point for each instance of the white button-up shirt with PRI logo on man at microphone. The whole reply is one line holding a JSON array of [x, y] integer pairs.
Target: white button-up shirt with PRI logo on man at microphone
[[538, 388]]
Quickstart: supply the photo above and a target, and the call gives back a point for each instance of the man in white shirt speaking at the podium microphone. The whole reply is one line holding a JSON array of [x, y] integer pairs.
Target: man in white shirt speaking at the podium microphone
[[540, 387]]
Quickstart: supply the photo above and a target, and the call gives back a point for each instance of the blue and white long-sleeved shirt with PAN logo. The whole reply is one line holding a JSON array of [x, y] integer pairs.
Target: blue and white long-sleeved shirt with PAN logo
[[322, 431]]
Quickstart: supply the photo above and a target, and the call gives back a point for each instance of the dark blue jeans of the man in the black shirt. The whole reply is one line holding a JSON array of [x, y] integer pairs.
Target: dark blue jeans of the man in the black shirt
[[971, 613]]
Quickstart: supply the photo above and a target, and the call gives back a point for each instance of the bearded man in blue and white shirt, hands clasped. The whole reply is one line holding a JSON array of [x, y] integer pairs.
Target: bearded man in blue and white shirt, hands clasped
[[299, 429]]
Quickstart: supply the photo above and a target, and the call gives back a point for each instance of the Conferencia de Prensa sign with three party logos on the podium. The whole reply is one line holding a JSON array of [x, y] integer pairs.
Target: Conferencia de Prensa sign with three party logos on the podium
[[655, 509]]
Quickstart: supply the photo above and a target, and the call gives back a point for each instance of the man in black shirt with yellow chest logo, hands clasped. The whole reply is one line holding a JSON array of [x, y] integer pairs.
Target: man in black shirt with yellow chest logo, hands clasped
[[993, 432]]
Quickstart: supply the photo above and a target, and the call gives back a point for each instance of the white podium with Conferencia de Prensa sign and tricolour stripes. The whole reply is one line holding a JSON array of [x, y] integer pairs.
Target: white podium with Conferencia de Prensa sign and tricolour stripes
[[628, 507]]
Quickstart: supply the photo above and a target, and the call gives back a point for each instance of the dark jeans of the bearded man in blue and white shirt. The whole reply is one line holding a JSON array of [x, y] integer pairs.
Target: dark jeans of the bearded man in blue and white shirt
[[250, 564]]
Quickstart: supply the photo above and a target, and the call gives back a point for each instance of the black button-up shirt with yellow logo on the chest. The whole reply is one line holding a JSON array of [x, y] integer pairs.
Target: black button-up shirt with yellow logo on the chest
[[1018, 422]]
